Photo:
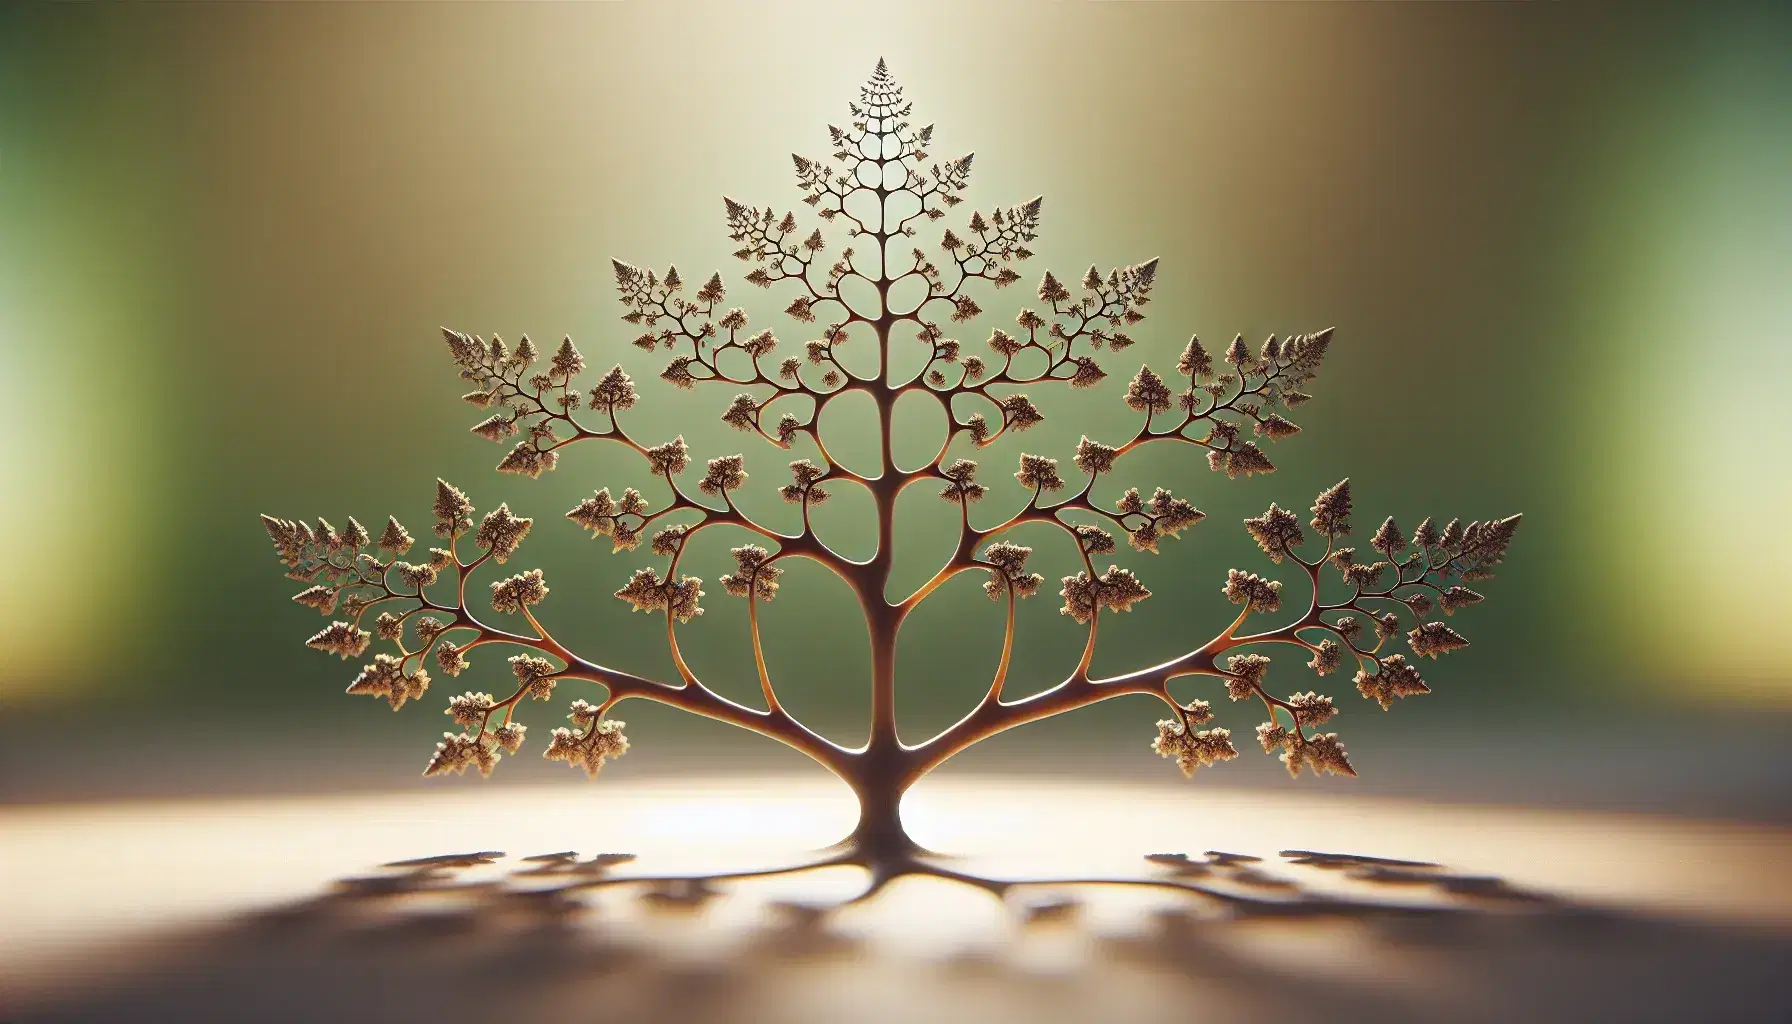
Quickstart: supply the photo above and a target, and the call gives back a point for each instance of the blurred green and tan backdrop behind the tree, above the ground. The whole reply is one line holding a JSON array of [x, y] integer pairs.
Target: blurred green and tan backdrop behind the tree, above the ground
[[1556, 243]]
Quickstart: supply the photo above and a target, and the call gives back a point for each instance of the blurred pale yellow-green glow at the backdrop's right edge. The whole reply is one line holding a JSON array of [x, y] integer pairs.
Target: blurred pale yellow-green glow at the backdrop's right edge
[[1703, 370]]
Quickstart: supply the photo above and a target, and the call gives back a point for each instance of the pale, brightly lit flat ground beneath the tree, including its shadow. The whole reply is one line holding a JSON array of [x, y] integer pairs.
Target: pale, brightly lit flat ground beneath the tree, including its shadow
[[1354, 910]]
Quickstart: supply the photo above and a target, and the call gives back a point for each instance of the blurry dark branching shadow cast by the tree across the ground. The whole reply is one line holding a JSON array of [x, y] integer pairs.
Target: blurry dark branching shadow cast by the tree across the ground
[[1298, 937]]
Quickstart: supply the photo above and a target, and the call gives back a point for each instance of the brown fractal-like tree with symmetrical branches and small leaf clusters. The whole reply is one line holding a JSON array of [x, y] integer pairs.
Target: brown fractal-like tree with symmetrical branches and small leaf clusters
[[881, 187]]
